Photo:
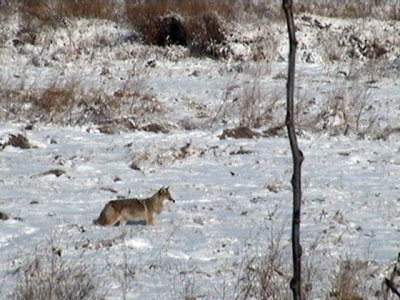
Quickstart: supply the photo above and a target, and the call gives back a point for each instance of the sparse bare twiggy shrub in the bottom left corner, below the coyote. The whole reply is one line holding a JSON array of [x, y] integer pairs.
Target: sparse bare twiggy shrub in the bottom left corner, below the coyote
[[49, 277]]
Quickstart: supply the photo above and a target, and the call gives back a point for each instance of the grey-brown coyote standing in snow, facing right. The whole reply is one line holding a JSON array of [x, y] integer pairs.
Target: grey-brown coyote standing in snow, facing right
[[125, 210]]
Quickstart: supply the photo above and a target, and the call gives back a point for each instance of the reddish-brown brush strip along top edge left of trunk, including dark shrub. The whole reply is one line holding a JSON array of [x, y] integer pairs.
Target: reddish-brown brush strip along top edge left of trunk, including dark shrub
[[159, 23]]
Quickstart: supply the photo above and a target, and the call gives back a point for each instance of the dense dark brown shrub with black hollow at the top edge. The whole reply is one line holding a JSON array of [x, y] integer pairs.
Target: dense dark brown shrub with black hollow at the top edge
[[179, 22]]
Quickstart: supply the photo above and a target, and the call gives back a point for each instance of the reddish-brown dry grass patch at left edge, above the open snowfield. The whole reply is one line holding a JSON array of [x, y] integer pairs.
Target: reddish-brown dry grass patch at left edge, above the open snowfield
[[71, 103]]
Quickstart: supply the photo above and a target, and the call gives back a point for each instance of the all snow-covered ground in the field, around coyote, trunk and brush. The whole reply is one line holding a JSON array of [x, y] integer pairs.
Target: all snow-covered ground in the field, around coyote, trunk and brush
[[232, 195]]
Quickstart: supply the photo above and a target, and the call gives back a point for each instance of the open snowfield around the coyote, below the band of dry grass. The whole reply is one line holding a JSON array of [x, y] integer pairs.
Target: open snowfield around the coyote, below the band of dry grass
[[350, 199]]
